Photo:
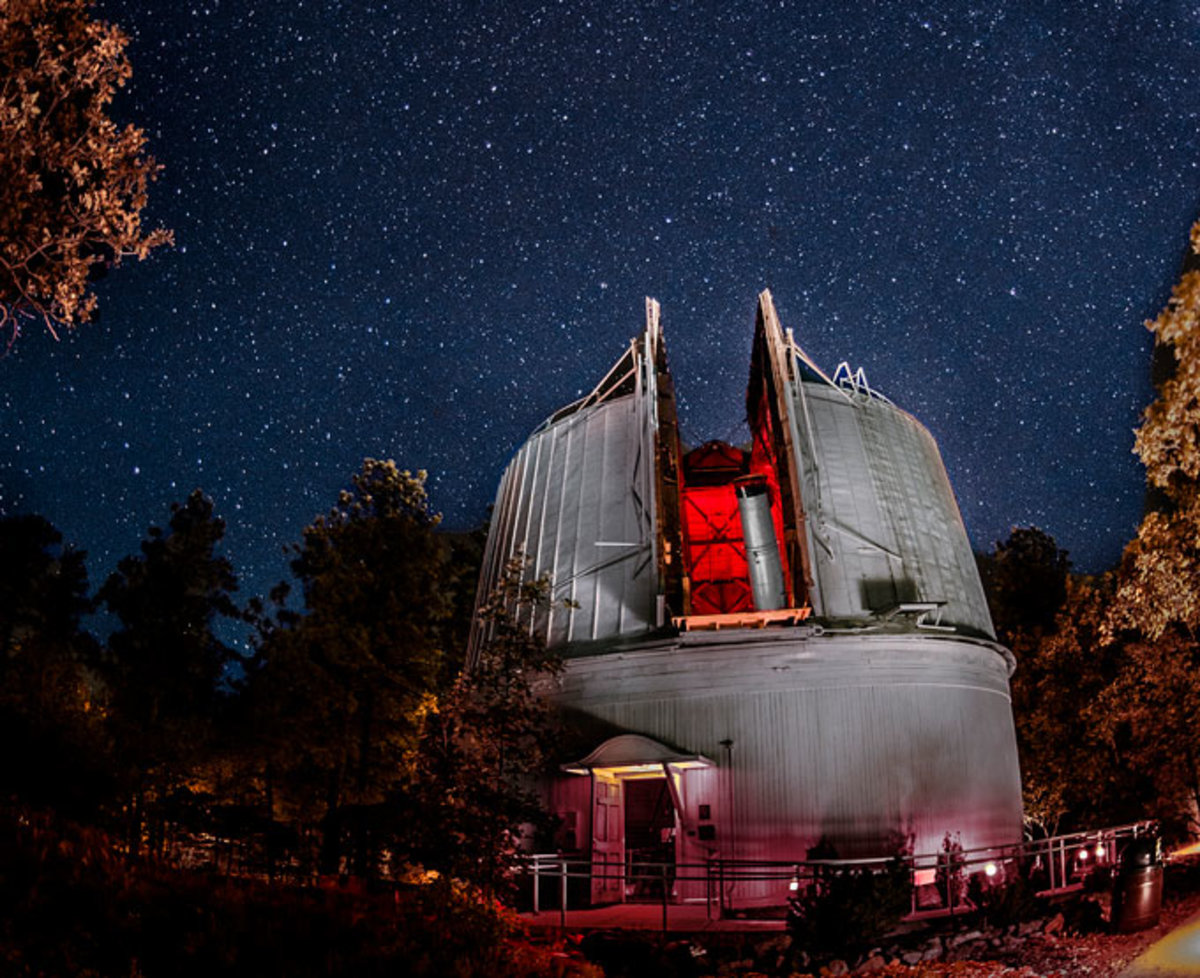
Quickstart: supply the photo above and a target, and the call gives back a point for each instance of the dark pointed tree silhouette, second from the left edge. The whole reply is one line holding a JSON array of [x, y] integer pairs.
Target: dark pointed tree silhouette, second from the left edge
[[166, 663]]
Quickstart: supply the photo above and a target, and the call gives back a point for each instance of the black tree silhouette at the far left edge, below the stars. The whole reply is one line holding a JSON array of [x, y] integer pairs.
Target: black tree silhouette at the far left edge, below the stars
[[47, 688]]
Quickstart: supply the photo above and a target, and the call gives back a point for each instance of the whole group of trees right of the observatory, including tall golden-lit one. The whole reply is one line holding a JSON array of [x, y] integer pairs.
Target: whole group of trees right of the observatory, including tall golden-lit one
[[1107, 692]]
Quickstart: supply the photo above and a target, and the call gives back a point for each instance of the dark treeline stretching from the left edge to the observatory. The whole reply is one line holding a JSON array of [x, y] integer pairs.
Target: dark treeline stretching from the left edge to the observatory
[[347, 743]]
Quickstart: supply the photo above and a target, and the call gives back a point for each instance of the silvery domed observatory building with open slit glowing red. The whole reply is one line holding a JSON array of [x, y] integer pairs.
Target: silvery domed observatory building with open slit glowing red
[[773, 651]]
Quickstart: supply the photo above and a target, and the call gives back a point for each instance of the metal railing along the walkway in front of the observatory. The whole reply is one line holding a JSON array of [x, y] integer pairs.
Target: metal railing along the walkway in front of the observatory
[[939, 881]]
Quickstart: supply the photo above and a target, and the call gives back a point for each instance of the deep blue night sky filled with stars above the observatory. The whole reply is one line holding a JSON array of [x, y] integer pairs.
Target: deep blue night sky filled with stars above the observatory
[[415, 230]]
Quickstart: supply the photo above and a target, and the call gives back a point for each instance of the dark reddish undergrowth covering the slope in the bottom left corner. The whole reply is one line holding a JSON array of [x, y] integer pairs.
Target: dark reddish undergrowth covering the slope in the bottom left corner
[[74, 908]]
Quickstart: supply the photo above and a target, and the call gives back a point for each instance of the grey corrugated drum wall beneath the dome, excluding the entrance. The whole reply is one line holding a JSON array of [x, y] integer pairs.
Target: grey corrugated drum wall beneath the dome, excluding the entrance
[[859, 740]]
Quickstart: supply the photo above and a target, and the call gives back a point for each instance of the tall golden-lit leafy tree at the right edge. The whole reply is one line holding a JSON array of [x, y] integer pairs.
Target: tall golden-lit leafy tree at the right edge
[[1156, 614]]
